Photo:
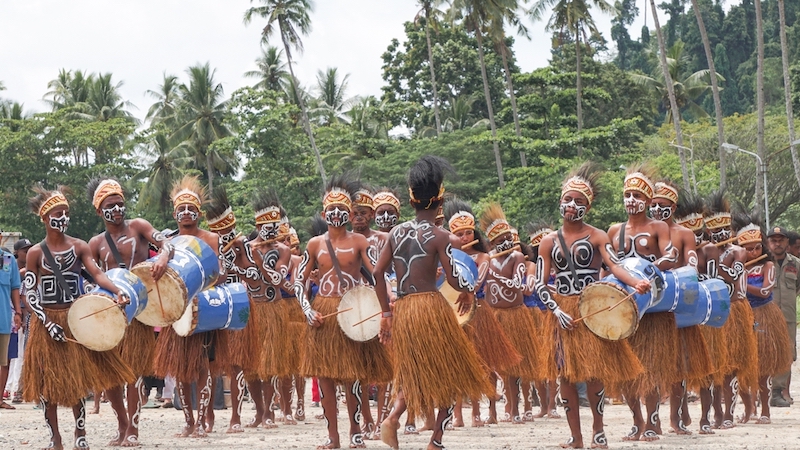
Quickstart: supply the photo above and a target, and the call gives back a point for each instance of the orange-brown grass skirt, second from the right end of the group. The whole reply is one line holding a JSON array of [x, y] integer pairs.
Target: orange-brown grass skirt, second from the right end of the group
[[742, 344]]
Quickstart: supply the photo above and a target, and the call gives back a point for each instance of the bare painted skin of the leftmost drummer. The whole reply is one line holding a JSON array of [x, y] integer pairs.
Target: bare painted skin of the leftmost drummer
[[57, 242]]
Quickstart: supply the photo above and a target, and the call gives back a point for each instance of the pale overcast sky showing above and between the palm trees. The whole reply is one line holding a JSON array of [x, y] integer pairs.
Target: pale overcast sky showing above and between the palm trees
[[137, 41]]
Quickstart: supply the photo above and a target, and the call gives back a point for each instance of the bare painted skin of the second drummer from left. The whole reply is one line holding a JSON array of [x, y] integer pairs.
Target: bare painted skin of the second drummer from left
[[131, 238]]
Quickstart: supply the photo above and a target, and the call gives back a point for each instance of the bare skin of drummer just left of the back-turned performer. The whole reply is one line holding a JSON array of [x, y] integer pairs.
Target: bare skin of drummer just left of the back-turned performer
[[351, 252]]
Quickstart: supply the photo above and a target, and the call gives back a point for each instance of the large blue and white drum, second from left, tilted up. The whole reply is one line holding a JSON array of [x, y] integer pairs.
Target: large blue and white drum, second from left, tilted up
[[194, 268]]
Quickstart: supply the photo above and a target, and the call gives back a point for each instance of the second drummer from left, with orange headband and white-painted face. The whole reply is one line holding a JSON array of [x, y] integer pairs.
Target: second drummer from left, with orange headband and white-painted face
[[127, 240]]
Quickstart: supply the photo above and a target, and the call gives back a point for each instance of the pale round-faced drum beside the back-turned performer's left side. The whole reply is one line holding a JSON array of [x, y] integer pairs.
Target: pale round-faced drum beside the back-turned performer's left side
[[361, 319]]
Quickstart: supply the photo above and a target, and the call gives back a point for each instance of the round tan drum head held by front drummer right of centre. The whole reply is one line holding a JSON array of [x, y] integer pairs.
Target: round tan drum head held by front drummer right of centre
[[620, 322]]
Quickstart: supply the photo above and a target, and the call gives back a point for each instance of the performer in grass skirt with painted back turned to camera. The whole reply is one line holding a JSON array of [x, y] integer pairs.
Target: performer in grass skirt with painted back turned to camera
[[427, 341]]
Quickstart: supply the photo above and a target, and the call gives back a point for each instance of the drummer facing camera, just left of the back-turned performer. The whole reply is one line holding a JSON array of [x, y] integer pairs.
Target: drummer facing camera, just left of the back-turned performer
[[330, 355]]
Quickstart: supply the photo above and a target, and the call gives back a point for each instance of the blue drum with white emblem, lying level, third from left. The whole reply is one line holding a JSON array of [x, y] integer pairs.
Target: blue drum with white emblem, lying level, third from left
[[223, 307]]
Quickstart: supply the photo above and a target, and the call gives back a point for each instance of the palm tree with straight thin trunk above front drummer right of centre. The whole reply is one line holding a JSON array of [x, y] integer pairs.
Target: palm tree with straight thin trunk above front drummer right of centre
[[572, 18]]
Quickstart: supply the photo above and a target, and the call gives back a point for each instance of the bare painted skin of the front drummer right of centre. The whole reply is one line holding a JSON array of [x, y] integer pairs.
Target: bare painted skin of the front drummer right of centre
[[573, 228]]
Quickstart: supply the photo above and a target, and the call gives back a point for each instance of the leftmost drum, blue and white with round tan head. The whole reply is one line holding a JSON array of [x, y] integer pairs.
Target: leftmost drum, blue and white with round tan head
[[95, 319]]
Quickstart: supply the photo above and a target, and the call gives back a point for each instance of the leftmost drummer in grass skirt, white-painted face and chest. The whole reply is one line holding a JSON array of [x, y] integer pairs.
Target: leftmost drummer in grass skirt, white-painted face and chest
[[58, 370]]
